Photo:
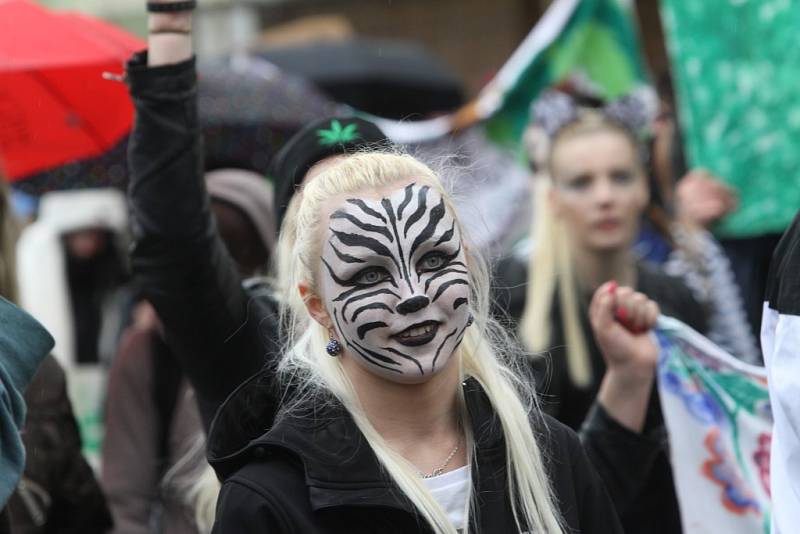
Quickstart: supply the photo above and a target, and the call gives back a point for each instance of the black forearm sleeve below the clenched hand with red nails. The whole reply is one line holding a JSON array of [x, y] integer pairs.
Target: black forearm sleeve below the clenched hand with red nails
[[622, 458]]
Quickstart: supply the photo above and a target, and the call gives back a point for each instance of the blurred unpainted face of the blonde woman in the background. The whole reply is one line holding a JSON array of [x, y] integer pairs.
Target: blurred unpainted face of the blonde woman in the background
[[600, 189]]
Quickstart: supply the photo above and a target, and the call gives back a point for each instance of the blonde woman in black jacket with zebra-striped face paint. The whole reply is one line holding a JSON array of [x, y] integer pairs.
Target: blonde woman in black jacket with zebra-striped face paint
[[401, 408]]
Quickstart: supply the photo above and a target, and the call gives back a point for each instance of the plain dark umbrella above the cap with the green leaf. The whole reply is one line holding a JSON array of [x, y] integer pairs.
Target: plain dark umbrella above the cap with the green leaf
[[388, 78]]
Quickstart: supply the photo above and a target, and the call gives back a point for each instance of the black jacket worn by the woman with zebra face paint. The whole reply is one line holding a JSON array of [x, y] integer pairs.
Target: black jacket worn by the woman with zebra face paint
[[315, 473]]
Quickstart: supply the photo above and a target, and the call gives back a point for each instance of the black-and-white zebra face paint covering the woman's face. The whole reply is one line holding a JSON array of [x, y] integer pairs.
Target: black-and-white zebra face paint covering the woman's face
[[395, 282]]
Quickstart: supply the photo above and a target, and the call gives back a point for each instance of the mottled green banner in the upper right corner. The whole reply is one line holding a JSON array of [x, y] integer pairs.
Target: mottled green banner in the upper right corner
[[736, 65]]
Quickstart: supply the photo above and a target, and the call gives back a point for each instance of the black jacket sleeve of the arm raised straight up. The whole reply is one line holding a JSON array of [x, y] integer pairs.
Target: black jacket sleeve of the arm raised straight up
[[217, 332]]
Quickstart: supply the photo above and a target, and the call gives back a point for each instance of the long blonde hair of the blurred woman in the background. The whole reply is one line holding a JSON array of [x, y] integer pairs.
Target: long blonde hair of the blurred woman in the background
[[551, 269]]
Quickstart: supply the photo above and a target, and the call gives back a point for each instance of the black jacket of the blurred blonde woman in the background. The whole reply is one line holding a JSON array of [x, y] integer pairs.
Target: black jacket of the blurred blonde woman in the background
[[634, 467]]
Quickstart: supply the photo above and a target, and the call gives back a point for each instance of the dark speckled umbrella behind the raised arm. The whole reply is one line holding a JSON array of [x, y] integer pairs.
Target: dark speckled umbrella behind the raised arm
[[248, 108]]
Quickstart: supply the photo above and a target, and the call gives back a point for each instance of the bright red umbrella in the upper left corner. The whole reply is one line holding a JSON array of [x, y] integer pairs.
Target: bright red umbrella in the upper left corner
[[55, 105]]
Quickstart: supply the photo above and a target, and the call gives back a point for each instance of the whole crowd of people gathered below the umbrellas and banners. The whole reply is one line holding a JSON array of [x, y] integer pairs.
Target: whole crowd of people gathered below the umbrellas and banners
[[330, 351]]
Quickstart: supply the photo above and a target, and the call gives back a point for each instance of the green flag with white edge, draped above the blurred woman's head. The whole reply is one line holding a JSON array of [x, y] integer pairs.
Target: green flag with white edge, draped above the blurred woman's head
[[593, 39]]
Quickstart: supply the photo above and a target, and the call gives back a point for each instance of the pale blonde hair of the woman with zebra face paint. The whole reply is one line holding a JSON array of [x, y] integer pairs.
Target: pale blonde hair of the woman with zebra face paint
[[482, 355]]
